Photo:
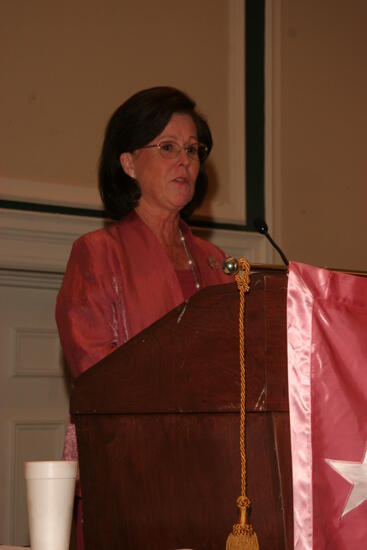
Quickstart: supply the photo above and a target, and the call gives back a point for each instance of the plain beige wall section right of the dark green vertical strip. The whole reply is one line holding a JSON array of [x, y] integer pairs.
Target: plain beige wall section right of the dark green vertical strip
[[323, 86]]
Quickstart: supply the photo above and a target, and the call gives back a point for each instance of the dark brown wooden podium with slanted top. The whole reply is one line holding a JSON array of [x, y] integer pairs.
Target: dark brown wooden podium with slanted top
[[158, 427]]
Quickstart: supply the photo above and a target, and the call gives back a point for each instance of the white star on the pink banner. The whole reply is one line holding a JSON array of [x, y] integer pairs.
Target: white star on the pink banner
[[356, 474]]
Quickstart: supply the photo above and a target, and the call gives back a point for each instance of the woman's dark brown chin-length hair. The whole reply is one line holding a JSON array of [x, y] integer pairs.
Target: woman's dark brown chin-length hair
[[133, 125]]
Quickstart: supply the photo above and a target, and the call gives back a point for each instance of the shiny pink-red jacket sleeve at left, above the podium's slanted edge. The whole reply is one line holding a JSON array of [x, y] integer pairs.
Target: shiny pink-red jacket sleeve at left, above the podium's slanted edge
[[86, 308]]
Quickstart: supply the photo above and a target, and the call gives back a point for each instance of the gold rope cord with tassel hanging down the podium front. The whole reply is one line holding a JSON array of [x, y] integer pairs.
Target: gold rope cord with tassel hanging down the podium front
[[243, 536]]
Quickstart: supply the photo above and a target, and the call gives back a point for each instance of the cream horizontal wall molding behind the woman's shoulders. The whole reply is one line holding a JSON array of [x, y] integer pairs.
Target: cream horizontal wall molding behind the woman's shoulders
[[34, 243]]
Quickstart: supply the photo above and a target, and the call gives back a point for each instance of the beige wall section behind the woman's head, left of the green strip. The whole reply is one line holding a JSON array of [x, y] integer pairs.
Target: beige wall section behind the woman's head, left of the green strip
[[68, 65]]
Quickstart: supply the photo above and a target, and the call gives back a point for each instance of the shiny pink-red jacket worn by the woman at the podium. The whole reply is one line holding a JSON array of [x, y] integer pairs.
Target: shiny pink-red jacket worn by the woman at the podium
[[118, 281]]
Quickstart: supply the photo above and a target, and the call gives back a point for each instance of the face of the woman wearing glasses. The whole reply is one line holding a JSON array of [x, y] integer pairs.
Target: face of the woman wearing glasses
[[166, 185]]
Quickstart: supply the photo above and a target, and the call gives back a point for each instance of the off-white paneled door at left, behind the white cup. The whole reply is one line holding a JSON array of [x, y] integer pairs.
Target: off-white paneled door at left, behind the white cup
[[34, 400]]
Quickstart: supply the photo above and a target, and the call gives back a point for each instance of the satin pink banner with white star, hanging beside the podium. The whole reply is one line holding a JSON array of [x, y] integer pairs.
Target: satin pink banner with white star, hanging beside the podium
[[327, 370]]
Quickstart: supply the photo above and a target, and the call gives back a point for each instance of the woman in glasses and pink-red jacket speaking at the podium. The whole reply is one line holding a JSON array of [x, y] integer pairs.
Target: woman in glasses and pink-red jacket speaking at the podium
[[122, 278]]
